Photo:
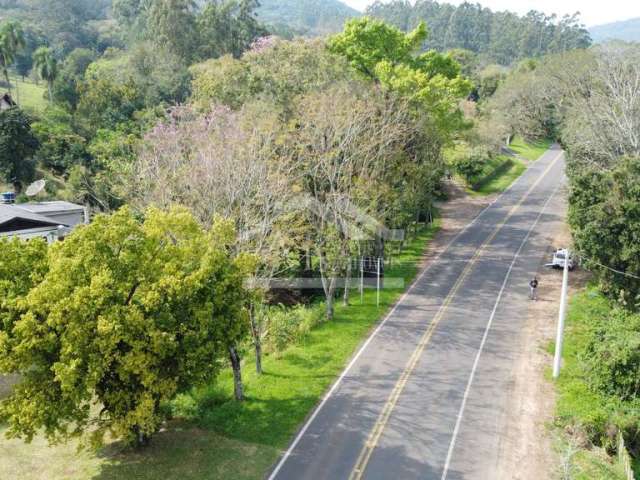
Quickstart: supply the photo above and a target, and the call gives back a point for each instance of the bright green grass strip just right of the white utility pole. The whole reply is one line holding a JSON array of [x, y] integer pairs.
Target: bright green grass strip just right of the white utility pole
[[577, 405]]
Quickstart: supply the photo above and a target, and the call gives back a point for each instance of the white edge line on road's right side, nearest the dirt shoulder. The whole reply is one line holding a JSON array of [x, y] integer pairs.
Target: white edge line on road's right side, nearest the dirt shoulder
[[456, 430]]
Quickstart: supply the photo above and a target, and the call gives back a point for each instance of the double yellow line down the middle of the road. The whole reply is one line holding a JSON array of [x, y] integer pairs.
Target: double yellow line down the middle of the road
[[374, 437]]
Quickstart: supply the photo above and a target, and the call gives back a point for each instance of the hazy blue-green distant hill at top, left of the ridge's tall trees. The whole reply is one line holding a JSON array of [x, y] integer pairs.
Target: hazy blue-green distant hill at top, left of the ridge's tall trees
[[305, 17]]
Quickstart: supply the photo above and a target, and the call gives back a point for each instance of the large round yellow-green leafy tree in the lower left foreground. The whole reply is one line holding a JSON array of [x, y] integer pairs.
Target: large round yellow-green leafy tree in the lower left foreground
[[126, 315]]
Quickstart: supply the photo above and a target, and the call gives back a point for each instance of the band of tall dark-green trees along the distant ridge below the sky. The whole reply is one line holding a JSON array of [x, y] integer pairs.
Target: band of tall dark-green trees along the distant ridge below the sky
[[501, 37]]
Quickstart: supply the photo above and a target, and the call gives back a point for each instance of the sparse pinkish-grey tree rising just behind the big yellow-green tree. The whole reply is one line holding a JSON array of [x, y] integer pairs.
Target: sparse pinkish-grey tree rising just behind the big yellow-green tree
[[224, 164]]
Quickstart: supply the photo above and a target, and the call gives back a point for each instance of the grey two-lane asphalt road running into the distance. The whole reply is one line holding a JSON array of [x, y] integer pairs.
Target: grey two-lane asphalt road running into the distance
[[425, 397]]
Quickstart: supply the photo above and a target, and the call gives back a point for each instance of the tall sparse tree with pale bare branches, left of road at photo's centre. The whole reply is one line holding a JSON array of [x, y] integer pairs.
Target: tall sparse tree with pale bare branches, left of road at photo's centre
[[346, 141]]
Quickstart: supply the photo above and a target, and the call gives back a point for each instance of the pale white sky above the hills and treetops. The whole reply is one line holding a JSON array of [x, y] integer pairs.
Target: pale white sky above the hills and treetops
[[594, 12]]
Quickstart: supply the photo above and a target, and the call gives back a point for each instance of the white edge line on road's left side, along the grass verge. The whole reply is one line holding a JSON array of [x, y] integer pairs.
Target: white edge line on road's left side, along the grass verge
[[337, 383]]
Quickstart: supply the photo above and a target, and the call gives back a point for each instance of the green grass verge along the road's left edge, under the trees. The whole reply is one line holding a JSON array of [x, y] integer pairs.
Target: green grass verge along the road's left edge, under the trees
[[220, 438]]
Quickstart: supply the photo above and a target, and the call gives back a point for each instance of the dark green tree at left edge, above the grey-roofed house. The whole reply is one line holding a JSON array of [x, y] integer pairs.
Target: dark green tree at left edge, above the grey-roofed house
[[18, 144]]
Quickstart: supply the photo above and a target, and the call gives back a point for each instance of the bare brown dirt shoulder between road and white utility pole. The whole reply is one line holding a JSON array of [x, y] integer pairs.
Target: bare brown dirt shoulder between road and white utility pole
[[527, 451]]
